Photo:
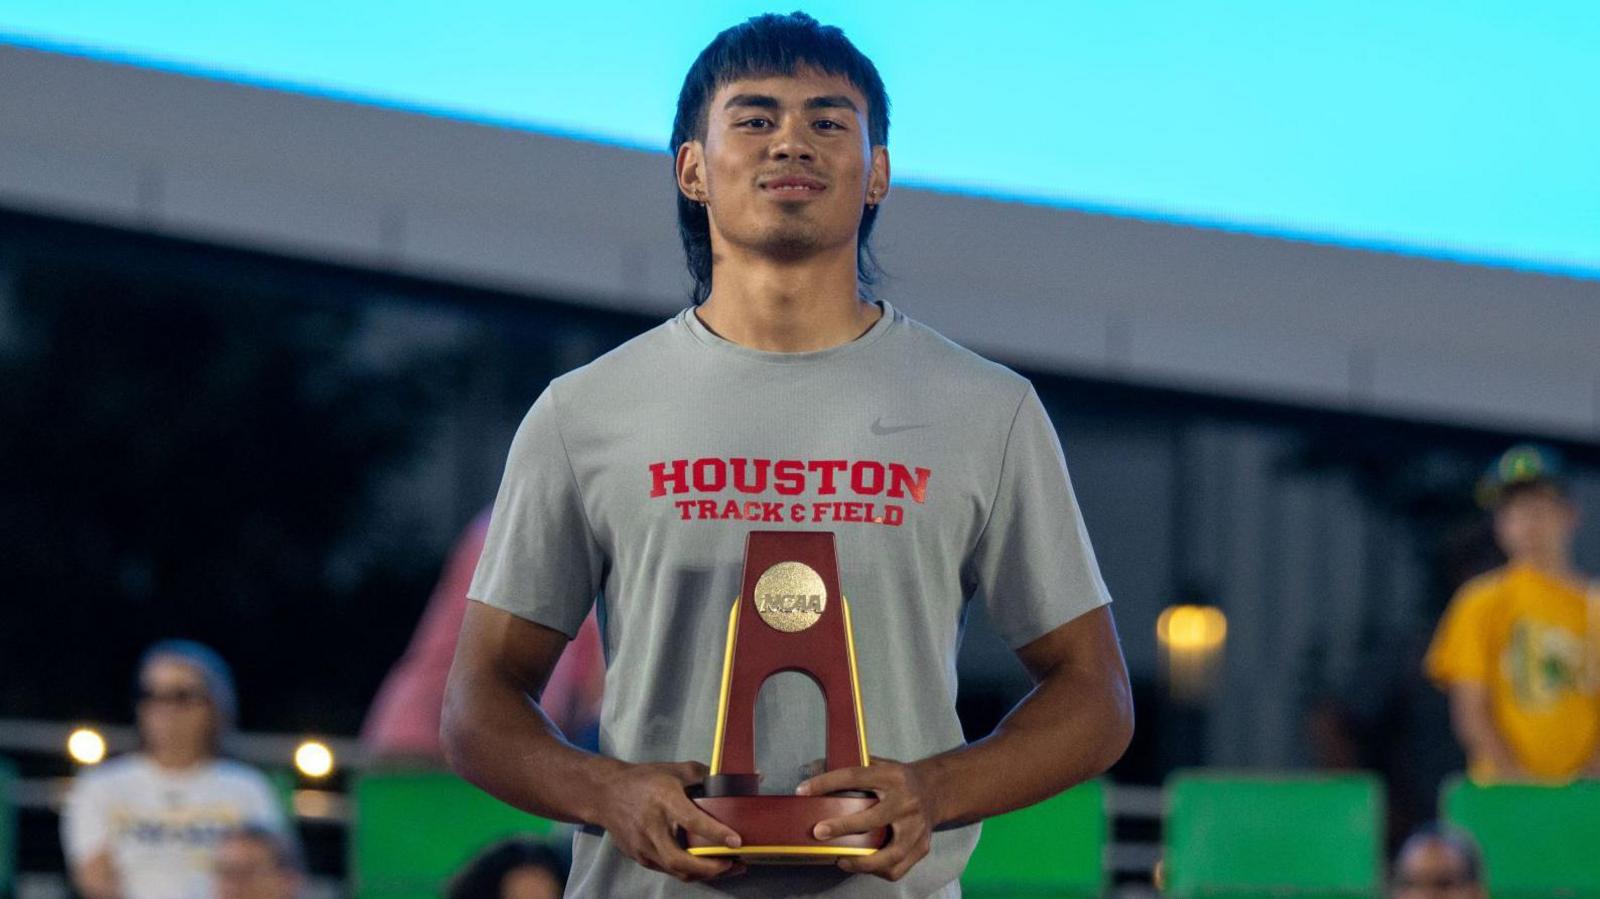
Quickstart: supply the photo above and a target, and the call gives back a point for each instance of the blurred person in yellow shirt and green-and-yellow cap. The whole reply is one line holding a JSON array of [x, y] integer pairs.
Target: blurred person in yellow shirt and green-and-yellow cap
[[1519, 647]]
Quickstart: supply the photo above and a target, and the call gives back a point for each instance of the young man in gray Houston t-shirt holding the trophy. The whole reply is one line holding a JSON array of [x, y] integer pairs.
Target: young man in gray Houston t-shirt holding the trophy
[[783, 401]]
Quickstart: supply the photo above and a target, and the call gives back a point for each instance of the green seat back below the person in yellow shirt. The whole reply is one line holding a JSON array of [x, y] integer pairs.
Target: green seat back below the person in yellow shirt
[[1535, 841]]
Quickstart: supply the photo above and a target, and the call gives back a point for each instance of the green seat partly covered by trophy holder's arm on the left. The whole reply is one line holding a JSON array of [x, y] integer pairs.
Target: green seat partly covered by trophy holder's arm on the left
[[415, 829]]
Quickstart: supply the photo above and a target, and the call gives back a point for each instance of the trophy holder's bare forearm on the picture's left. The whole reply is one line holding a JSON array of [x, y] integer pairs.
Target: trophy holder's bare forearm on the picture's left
[[498, 738]]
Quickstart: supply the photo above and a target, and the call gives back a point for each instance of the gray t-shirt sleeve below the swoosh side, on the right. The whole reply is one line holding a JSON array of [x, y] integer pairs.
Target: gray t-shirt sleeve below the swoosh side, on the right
[[1033, 565]]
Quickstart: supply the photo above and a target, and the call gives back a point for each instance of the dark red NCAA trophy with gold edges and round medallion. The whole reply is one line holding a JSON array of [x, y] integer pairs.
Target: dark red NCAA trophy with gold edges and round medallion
[[791, 617]]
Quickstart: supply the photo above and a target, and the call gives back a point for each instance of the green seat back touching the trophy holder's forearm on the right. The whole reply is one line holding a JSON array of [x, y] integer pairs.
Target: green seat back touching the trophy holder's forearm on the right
[[1054, 849]]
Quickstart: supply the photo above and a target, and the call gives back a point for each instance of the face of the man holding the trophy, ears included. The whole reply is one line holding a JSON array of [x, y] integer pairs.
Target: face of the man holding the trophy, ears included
[[786, 166]]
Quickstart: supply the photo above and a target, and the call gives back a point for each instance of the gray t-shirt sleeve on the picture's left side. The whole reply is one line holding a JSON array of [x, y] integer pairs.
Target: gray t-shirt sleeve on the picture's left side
[[540, 557]]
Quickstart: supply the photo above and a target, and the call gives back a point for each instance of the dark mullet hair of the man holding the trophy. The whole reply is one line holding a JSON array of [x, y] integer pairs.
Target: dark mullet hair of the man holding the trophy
[[772, 46]]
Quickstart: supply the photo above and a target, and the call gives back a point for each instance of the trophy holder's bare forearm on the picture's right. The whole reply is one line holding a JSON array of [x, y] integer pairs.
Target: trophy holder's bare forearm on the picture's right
[[1070, 729]]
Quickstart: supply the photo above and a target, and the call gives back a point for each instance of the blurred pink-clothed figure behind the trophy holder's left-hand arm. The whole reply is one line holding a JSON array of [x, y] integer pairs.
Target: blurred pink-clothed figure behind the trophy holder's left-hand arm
[[404, 721]]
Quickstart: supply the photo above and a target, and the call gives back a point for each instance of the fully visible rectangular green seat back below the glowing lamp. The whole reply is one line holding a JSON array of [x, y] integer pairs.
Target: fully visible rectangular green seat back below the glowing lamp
[[1273, 836]]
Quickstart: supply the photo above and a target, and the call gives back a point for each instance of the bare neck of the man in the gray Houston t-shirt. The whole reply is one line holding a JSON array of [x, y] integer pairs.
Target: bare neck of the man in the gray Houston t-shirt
[[786, 306]]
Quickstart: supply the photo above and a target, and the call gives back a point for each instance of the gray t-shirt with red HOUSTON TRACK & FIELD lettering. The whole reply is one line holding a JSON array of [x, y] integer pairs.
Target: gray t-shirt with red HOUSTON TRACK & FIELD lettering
[[634, 481]]
